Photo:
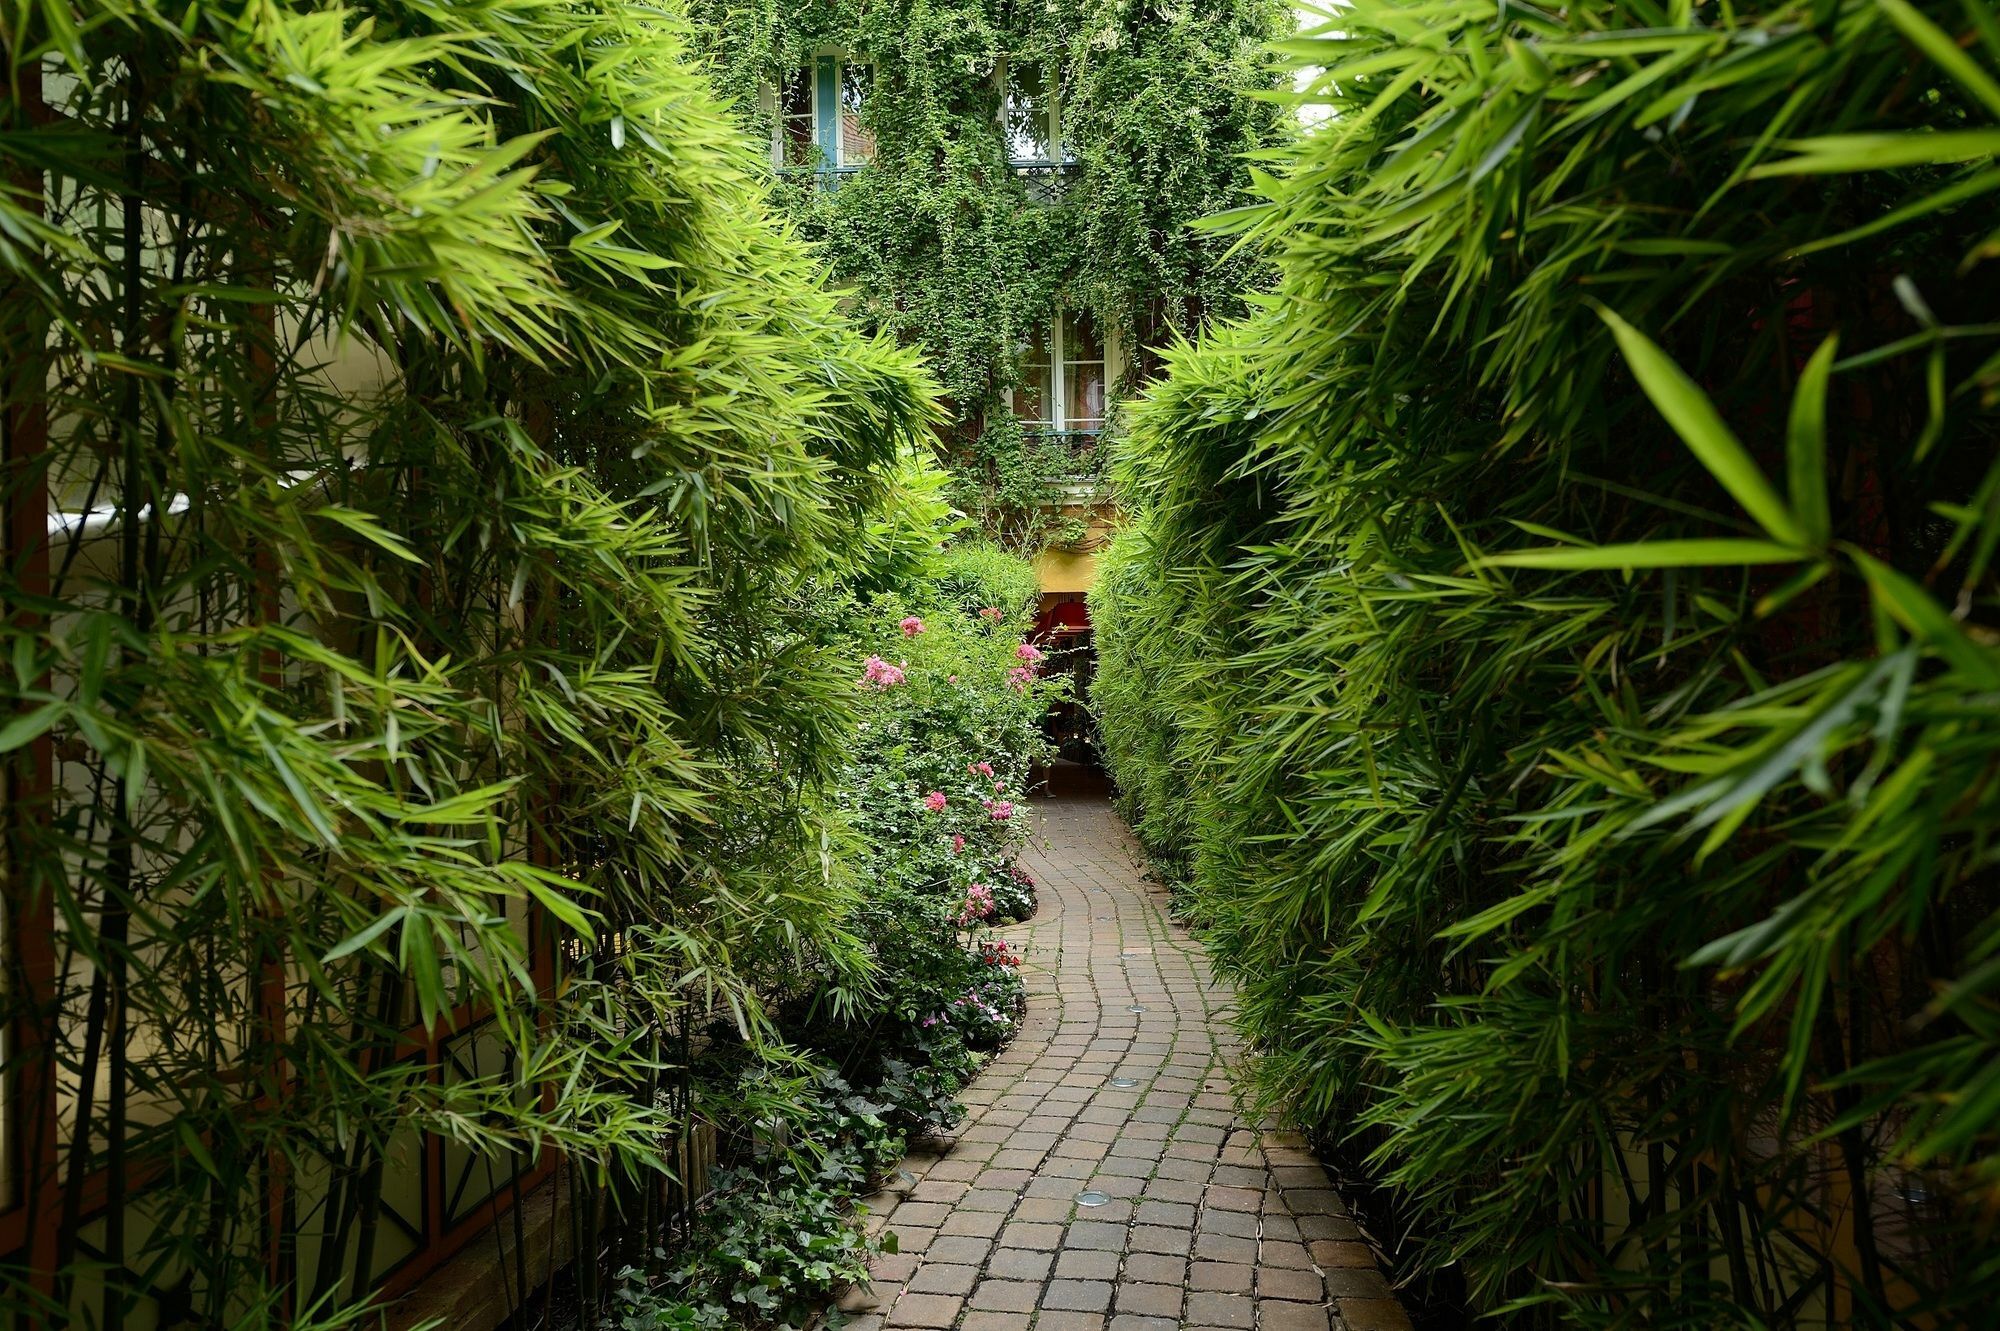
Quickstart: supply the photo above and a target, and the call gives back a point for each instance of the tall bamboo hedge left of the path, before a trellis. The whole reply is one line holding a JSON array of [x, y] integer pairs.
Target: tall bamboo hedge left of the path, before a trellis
[[435, 672]]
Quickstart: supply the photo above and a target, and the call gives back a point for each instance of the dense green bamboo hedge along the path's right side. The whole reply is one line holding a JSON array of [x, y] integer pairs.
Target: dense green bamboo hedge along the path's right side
[[1565, 678]]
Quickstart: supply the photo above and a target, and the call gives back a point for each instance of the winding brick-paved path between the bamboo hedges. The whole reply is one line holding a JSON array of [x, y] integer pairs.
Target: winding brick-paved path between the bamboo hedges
[[1119, 1086]]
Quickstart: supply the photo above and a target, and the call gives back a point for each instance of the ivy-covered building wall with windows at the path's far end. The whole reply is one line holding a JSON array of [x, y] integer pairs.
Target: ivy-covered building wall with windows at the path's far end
[[945, 241]]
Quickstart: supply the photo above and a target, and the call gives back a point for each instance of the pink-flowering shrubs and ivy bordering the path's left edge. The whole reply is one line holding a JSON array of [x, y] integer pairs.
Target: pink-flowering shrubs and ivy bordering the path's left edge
[[779, 1236]]
